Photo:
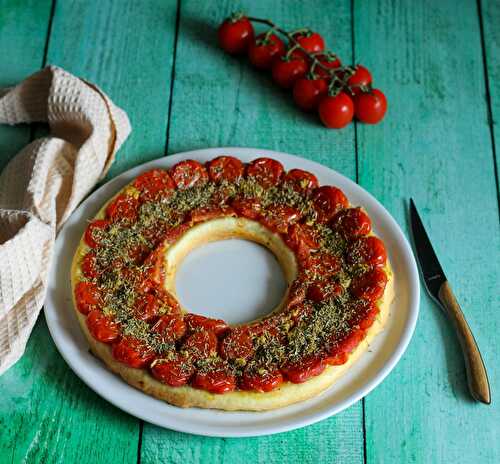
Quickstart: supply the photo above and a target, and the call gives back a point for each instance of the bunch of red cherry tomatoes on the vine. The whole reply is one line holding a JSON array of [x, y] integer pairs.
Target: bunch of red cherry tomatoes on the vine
[[301, 63]]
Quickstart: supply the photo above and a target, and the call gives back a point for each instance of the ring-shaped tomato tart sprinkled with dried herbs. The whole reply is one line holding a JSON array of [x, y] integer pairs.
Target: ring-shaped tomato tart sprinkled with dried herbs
[[123, 280]]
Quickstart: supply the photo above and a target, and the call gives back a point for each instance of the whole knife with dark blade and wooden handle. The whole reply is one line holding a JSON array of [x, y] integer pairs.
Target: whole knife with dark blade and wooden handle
[[440, 290]]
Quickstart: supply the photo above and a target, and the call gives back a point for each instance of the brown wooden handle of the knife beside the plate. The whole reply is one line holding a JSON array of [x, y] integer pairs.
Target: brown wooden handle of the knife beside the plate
[[477, 378]]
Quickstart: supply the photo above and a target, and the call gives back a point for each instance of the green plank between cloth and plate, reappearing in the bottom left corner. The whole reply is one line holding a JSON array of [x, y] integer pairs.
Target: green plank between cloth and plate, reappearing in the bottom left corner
[[48, 414]]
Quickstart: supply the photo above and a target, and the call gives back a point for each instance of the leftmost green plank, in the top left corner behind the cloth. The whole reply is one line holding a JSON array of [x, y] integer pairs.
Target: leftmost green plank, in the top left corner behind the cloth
[[23, 30]]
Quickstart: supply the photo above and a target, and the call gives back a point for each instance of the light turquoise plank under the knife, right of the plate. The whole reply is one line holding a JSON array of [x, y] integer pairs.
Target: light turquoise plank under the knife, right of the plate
[[434, 146]]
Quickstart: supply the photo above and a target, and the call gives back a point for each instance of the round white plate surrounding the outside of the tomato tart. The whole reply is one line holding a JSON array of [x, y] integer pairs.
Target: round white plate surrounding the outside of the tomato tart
[[364, 376]]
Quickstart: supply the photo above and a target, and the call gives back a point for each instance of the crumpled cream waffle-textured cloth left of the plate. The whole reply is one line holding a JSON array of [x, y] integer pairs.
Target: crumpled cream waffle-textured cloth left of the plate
[[43, 184]]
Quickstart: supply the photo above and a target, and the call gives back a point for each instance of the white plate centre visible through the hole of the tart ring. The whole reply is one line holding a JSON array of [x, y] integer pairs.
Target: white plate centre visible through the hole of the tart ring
[[235, 280]]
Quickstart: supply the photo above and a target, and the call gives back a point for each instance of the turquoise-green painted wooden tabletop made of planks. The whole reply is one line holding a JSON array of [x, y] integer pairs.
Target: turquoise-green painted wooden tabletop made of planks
[[439, 65]]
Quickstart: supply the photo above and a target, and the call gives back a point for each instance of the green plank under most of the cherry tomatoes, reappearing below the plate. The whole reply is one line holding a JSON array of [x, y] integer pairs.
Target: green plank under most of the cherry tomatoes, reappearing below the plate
[[221, 101]]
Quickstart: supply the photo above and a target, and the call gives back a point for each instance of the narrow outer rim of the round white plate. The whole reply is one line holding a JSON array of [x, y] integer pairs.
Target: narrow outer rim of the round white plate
[[361, 392]]
